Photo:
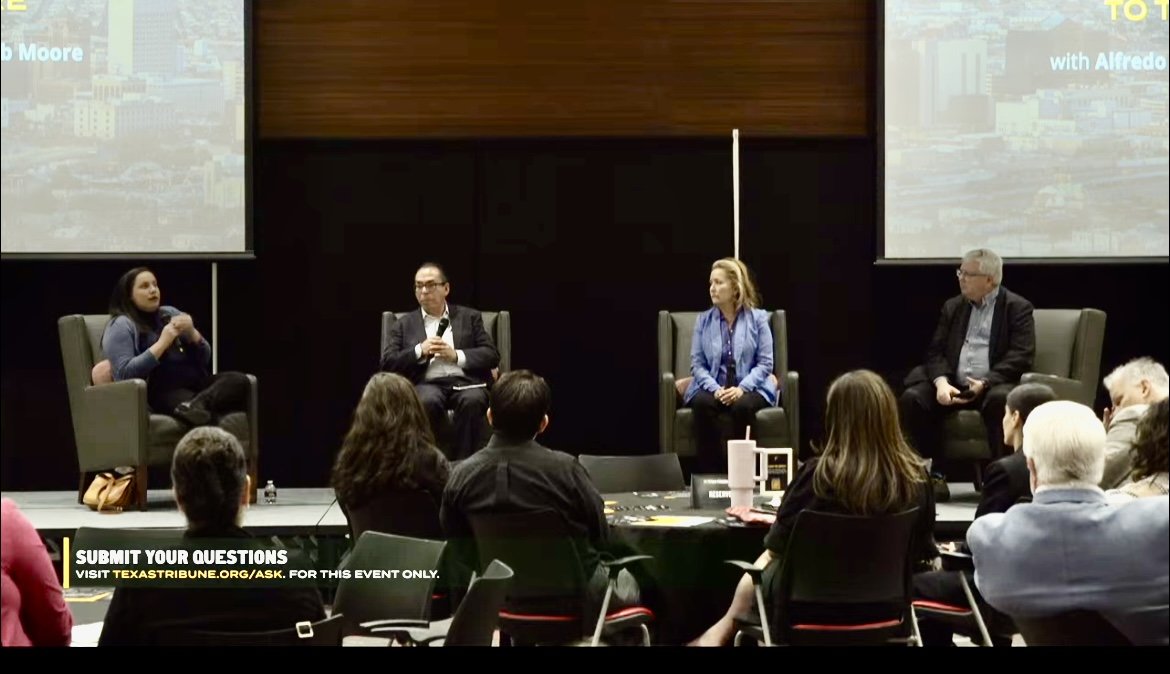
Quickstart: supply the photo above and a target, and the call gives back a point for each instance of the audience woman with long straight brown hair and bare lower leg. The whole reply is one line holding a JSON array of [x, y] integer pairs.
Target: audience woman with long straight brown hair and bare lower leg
[[865, 469]]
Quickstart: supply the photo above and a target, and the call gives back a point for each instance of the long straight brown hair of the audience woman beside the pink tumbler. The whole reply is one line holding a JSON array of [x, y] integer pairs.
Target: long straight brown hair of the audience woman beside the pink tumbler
[[866, 464]]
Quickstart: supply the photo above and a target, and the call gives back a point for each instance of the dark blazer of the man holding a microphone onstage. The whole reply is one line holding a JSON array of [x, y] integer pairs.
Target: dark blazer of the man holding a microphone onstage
[[470, 336]]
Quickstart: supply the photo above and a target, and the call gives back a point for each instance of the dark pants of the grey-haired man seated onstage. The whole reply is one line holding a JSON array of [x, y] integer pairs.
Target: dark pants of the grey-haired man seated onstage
[[923, 417]]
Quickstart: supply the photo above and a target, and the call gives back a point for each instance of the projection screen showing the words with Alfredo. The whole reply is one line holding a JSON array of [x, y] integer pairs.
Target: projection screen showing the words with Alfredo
[[1036, 128]]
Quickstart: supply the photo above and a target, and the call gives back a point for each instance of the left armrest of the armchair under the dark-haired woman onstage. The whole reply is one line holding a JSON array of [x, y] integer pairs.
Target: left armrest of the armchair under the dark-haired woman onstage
[[112, 425]]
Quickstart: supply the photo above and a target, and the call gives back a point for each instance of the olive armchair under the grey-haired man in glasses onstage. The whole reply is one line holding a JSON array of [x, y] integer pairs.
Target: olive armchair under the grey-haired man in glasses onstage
[[1068, 359]]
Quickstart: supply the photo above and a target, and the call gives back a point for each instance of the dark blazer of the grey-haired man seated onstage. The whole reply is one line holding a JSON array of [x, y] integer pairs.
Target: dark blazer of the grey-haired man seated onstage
[[1013, 347]]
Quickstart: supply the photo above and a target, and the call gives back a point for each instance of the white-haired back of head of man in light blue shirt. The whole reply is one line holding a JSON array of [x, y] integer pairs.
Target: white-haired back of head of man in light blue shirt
[[1065, 443]]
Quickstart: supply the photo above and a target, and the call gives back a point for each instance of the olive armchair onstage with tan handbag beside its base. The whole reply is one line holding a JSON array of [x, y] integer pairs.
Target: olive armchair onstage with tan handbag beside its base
[[114, 425]]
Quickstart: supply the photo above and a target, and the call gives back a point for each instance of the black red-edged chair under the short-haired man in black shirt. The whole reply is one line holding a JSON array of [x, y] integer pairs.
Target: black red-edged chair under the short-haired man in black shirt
[[549, 602]]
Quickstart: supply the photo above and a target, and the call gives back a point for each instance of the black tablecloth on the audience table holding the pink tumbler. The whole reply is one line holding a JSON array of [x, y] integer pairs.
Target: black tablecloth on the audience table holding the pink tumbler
[[687, 586]]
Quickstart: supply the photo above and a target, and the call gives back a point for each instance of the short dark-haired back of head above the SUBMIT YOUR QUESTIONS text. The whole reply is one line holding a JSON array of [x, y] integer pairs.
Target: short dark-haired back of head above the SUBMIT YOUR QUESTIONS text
[[210, 474]]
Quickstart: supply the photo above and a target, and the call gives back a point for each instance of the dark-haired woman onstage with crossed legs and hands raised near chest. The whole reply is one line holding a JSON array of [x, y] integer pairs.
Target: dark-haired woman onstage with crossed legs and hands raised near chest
[[147, 340]]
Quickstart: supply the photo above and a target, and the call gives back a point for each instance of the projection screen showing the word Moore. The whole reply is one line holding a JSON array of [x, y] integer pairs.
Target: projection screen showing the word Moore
[[126, 128]]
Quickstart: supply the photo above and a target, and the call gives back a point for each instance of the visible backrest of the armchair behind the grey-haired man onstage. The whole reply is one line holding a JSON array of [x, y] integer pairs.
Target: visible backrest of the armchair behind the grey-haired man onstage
[[1069, 345]]
